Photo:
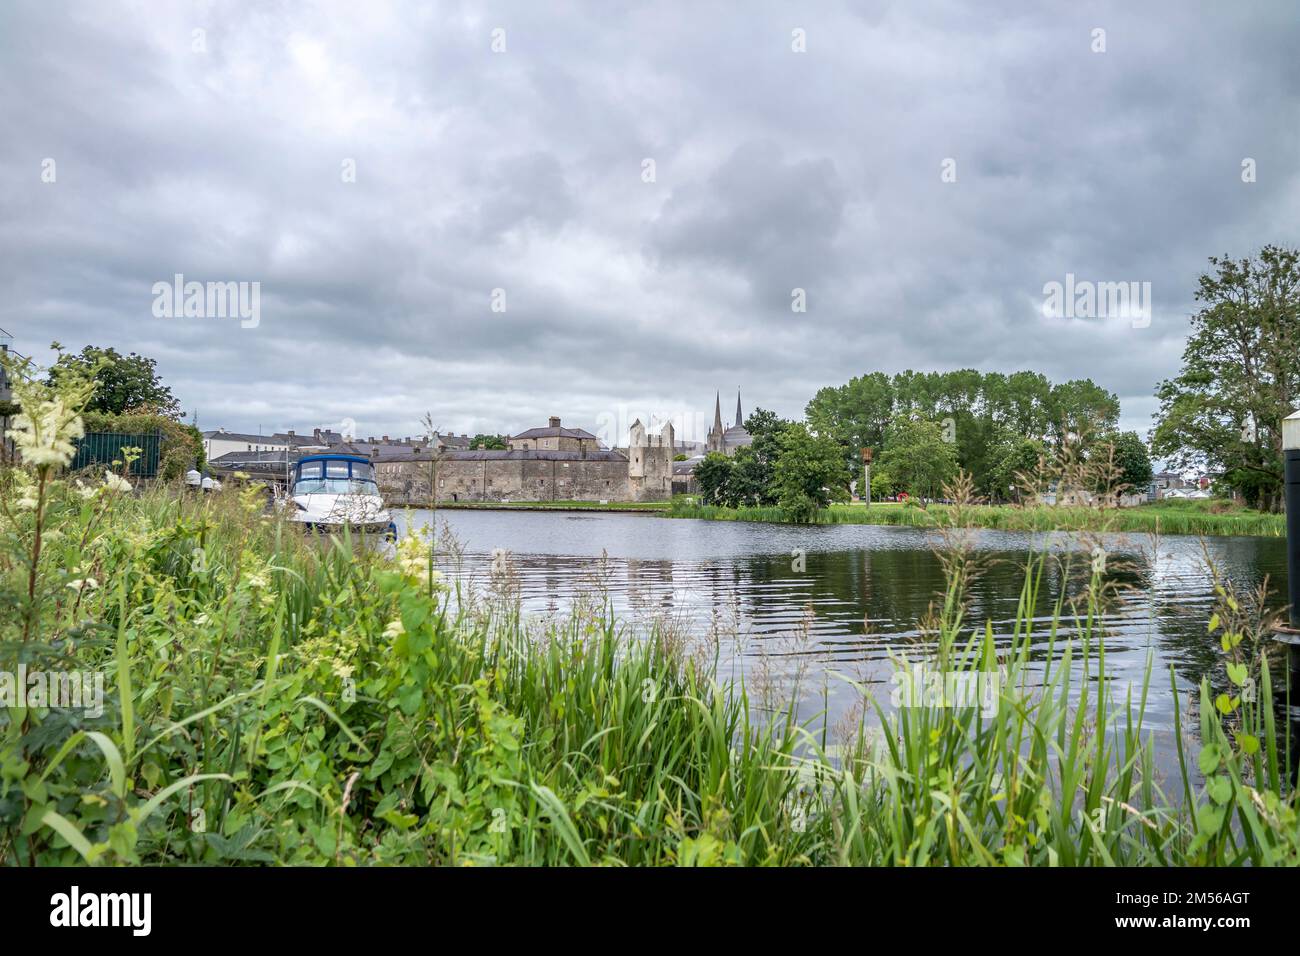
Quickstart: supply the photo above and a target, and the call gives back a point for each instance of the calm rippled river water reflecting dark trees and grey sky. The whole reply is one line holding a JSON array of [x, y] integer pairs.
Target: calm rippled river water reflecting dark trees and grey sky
[[861, 594]]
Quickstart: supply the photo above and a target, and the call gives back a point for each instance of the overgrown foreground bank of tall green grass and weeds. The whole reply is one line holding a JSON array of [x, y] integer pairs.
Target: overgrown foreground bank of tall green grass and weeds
[[275, 700]]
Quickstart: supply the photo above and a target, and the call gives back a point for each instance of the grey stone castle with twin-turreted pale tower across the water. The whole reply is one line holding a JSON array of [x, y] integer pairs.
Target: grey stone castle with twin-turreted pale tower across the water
[[551, 464]]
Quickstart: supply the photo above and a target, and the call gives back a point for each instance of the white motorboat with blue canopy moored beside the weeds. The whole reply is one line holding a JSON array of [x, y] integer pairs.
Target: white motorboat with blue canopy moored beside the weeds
[[333, 492]]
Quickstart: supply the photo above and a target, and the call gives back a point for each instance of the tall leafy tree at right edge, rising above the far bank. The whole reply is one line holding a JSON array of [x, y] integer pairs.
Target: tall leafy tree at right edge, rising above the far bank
[[1240, 377]]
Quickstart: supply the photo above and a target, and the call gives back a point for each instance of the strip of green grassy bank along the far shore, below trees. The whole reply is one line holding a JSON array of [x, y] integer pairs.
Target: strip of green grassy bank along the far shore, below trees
[[1165, 518]]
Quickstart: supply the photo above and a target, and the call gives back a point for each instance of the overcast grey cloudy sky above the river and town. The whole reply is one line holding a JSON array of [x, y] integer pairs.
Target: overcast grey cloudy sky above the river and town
[[380, 170]]
